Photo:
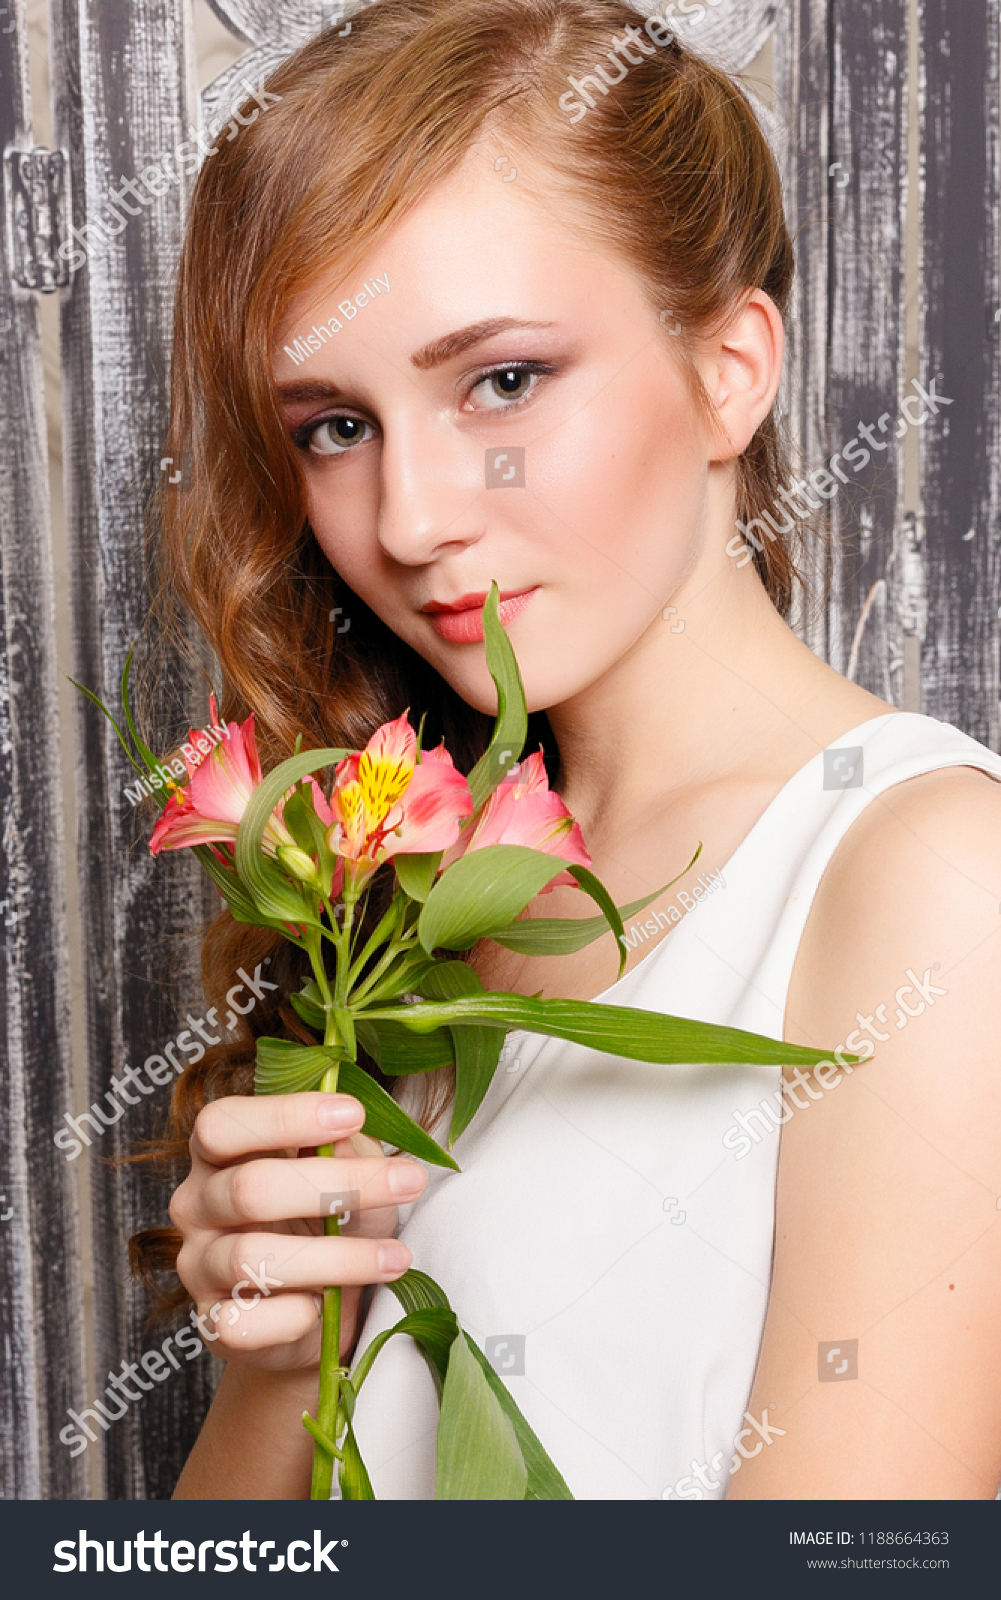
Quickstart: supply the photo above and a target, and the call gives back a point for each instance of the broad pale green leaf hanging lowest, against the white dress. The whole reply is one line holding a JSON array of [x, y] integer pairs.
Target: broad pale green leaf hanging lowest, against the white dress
[[479, 1454]]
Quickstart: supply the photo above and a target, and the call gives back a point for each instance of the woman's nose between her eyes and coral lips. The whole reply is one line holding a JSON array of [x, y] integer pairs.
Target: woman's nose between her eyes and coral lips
[[433, 490]]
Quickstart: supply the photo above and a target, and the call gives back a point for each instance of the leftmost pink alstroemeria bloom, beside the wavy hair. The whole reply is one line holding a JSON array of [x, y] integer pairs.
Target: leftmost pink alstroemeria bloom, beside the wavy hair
[[210, 809]]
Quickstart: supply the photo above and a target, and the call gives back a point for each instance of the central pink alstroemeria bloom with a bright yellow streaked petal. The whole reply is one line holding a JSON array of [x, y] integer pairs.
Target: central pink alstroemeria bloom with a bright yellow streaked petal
[[386, 806]]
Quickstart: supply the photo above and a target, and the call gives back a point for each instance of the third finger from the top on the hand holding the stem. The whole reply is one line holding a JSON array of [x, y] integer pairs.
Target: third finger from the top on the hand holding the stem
[[241, 1266]]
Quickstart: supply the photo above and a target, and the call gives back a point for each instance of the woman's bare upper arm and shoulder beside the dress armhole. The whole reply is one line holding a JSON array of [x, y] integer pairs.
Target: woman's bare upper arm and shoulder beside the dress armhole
[[888, 1233]]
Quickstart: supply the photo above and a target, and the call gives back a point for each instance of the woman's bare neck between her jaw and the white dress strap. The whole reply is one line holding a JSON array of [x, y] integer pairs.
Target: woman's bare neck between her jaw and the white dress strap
[[733, 694]]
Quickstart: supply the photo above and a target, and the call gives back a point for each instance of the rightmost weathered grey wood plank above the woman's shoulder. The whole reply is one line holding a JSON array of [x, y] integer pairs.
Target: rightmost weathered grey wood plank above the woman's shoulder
[[960, 348]]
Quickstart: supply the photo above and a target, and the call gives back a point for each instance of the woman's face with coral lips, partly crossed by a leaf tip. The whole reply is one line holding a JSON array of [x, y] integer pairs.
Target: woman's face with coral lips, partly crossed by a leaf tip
[[509, 409]]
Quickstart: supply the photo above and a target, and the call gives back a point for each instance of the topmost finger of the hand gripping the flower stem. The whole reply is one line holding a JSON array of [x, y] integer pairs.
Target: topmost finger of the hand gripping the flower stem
[[249, 1124]]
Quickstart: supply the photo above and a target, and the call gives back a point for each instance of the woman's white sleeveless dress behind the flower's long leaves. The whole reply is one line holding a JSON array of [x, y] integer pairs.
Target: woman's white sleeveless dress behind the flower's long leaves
[[604, 1242]]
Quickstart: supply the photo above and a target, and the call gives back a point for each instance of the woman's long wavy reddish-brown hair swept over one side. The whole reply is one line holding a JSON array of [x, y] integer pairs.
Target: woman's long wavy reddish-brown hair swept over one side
[[671, 170]]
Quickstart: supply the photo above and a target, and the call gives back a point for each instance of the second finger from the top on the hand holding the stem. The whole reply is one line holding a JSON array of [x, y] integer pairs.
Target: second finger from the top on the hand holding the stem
[[276, 1191]]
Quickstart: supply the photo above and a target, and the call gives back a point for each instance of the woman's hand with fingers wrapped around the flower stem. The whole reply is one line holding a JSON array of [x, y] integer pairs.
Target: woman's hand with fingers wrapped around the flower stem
[[253, 1254]]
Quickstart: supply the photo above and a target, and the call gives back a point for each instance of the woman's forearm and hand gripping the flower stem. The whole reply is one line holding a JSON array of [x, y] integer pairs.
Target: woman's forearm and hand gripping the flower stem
[[241, 1215]]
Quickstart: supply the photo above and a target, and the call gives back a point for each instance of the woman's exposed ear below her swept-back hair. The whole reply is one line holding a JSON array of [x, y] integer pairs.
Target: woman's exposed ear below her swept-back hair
[[741, 369]]
